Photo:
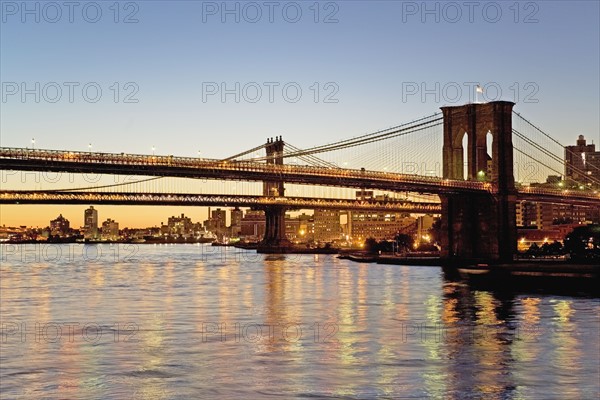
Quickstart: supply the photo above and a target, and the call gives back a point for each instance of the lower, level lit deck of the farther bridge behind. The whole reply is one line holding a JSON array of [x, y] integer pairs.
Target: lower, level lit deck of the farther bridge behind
[[258, 202]]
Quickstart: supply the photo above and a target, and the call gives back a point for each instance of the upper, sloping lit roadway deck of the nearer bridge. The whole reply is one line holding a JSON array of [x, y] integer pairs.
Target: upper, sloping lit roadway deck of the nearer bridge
[[189, 167]]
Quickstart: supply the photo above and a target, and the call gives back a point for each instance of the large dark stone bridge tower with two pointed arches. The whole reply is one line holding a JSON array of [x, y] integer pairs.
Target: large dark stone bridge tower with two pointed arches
[[479, 226]]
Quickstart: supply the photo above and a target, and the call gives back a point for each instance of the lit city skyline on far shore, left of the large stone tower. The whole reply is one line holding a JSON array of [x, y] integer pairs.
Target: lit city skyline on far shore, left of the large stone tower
[[336, 227]]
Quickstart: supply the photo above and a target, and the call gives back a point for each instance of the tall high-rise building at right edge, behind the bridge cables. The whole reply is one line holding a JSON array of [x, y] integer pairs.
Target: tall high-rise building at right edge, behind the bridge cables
[[582, 163]]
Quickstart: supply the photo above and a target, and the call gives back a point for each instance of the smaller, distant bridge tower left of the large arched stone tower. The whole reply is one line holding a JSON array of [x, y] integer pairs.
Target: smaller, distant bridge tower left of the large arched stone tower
[[274, 240]]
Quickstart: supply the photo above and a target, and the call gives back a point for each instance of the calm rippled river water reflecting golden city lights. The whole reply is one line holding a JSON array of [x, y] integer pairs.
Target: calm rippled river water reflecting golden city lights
[[186, 321]]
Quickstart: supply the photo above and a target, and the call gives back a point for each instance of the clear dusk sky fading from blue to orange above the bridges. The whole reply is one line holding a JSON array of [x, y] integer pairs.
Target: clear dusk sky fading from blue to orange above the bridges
[[366, 59]]
